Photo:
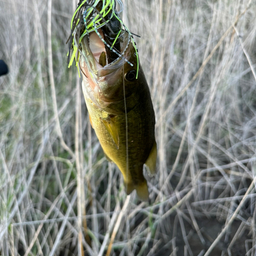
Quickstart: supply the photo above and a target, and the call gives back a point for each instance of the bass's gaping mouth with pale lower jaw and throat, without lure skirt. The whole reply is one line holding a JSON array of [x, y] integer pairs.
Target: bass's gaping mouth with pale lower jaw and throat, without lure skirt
[[102, 68]]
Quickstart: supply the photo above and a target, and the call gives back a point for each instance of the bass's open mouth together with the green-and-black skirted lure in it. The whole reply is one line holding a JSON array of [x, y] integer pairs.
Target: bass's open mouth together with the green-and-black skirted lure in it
[[99, 37]]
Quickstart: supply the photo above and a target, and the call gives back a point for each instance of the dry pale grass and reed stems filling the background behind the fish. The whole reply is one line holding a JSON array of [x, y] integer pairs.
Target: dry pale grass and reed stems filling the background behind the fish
[[199, 59]]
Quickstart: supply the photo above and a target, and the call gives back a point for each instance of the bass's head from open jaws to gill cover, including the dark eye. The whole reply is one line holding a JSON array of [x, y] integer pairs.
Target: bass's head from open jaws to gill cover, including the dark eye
[[105, 82]]
